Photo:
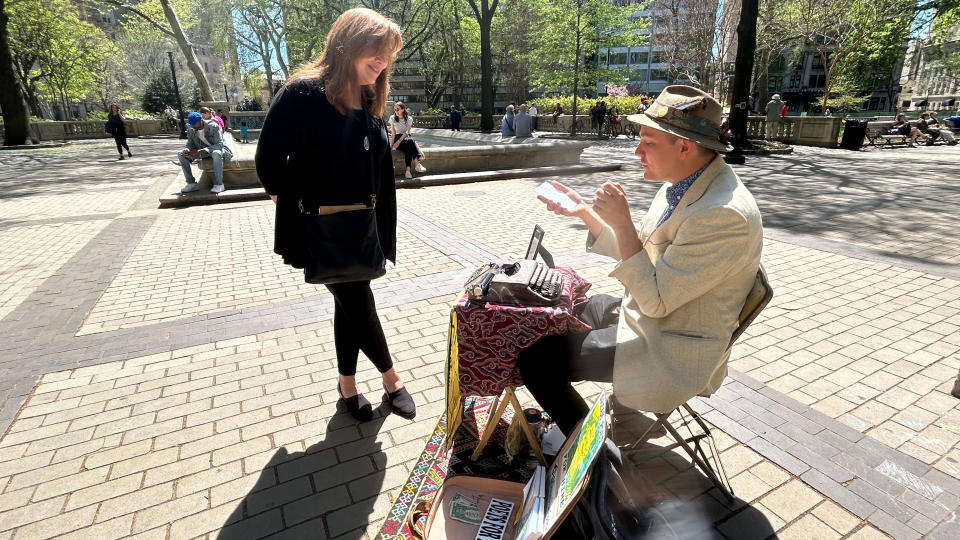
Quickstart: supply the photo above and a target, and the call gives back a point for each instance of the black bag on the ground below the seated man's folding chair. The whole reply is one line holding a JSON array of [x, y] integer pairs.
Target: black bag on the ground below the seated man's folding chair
[[618, 504]]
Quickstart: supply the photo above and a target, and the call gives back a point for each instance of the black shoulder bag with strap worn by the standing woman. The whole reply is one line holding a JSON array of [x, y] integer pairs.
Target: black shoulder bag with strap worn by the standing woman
[[342, 241]]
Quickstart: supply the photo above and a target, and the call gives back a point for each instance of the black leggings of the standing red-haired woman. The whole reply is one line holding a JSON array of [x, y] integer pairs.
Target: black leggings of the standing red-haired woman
[[356, 327]]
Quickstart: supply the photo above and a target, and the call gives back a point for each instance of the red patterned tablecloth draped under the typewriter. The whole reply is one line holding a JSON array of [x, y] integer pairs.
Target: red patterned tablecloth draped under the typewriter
[[490, 336]]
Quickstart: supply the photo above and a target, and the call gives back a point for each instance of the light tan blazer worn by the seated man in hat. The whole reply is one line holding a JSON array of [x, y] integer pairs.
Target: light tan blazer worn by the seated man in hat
[[684, 291]]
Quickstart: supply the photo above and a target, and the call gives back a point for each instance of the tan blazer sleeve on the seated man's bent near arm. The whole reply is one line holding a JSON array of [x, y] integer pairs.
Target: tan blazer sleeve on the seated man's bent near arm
[[705, 249]]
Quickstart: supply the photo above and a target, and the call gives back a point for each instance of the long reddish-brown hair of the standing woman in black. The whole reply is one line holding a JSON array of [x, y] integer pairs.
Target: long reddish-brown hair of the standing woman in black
[[356, 32]]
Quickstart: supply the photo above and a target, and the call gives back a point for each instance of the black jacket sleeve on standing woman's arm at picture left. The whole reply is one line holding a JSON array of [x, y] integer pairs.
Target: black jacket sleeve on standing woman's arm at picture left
[[275, 142]]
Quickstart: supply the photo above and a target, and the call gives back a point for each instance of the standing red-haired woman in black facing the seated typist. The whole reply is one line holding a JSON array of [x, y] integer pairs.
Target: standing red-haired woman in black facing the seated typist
[[323, 143]]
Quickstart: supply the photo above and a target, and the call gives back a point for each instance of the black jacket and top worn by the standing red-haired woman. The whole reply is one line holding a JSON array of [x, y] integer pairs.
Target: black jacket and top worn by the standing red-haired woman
[[308, 151]]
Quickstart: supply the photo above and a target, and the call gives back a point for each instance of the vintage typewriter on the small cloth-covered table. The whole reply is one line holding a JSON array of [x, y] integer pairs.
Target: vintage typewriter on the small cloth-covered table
[[525, 282]]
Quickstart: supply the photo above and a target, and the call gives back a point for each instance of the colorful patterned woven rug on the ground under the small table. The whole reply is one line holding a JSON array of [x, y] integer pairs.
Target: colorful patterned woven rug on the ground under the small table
[[436, 464]]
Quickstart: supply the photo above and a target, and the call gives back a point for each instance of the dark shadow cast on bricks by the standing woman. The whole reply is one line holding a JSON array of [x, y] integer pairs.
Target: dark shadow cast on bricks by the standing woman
[[314, 489]]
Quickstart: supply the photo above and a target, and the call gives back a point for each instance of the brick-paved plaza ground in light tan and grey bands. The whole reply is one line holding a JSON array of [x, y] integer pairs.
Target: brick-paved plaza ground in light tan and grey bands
[[162, 375]]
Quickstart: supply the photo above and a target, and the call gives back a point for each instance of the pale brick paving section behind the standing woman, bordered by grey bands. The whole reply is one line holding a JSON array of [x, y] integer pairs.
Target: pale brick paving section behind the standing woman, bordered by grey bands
[[219, 266]]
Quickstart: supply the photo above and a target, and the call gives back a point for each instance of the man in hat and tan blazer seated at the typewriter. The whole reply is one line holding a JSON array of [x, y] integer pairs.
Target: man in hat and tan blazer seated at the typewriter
[[686, 271]]
